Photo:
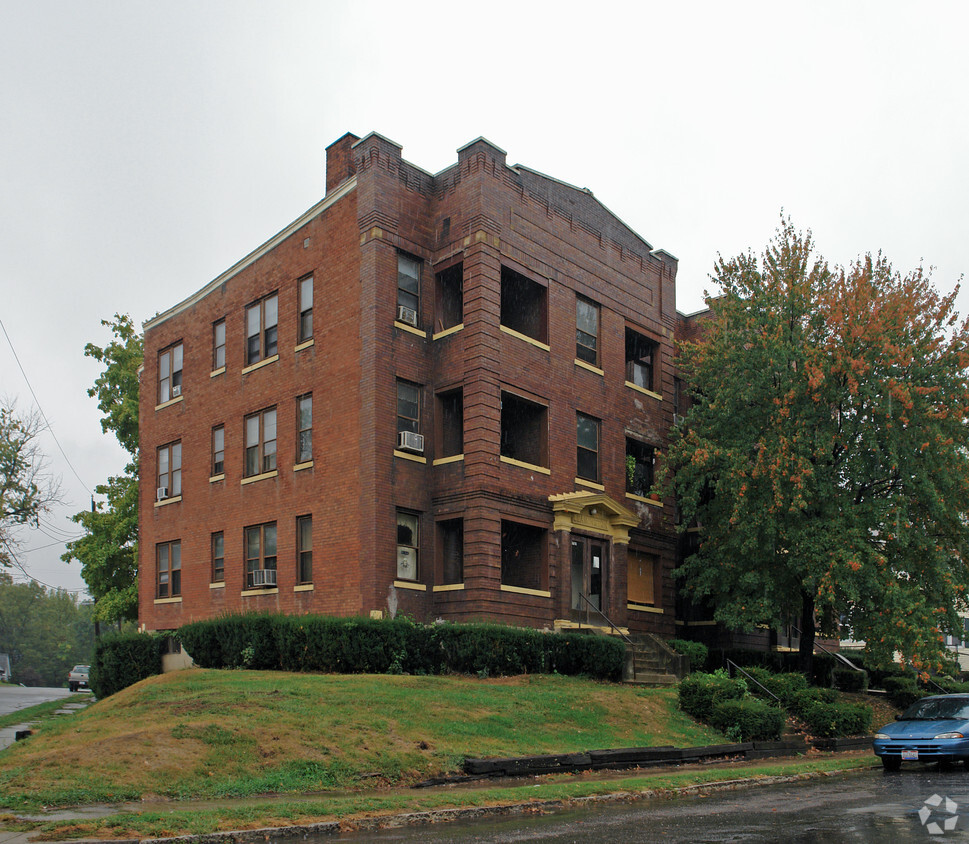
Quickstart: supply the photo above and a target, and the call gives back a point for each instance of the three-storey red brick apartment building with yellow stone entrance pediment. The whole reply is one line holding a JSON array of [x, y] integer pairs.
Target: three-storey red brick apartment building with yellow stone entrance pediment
[[437, 395]]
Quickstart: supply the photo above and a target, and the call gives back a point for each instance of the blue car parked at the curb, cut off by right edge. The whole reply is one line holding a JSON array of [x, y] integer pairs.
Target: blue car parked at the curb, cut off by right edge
[[933, 729]]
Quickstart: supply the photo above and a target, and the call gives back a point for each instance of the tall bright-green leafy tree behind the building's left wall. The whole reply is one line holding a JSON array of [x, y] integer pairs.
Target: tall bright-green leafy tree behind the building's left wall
[[108, 551]]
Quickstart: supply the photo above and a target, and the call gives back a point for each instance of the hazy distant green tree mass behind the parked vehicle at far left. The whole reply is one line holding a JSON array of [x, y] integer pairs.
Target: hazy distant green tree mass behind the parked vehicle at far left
[[44, 631]]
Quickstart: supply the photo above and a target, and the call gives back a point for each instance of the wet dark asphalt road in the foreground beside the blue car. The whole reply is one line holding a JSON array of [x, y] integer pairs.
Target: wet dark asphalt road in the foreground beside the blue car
[[864, 807]]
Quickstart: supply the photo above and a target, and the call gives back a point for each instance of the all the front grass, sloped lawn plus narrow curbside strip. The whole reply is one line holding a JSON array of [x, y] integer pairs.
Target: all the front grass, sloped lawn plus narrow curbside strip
[[237, 734]]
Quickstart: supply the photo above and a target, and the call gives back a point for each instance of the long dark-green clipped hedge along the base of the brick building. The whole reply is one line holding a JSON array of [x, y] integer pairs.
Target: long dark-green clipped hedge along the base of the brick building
[[368, 646]]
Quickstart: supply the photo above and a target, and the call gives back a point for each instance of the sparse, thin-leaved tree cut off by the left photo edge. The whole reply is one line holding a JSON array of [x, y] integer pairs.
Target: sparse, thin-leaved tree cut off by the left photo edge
[[27, 491]]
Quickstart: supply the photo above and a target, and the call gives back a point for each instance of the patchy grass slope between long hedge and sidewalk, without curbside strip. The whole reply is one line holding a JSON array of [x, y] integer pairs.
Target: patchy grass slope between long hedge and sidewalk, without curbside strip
[[204, 734]]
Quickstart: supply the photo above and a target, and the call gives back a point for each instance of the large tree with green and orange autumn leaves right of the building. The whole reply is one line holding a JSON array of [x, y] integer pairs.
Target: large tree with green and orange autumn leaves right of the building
[[825, 453]]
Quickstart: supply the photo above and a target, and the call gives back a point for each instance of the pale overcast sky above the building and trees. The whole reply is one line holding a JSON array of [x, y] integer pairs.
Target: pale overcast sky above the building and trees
[[146, 147]]
